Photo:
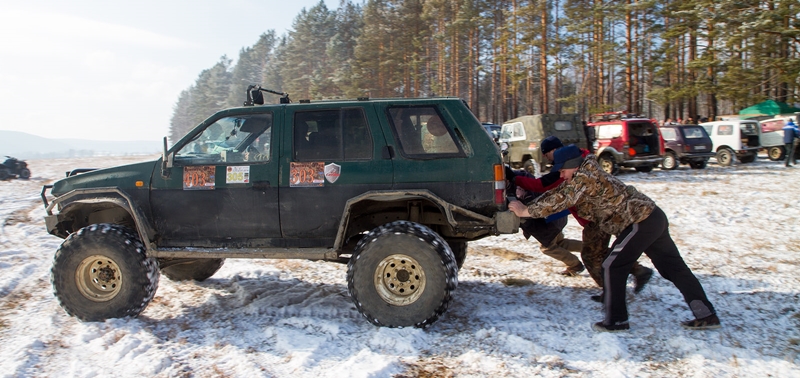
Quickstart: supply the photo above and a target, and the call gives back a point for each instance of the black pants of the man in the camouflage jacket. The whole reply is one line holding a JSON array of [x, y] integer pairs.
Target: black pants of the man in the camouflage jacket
[[650, 236]]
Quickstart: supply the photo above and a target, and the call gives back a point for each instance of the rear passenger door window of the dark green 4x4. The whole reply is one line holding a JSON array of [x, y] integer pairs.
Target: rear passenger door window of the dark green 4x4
[[327, 135]]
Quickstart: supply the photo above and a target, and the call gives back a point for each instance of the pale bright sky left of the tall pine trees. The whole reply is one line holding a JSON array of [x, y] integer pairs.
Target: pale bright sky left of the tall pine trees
[[107, 70]]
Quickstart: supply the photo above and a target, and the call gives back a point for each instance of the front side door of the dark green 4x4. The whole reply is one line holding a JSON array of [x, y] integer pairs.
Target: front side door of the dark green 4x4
[[223, 186]]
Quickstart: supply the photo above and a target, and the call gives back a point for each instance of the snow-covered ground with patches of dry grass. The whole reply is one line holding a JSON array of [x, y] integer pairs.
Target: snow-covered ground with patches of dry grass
[[513, 315]]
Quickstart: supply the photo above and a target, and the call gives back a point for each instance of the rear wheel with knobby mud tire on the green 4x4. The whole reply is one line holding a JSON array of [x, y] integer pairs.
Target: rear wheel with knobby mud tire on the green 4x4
[[402, 274]]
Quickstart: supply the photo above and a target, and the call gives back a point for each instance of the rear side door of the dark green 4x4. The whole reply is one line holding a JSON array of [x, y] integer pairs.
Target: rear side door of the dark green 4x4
[[333, 153]]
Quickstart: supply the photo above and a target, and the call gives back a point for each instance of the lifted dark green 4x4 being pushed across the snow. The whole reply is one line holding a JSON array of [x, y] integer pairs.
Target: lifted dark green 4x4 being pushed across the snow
[[395, 188]]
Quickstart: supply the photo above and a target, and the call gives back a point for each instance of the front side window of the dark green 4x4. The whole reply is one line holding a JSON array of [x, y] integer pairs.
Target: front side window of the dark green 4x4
[[236, 139]]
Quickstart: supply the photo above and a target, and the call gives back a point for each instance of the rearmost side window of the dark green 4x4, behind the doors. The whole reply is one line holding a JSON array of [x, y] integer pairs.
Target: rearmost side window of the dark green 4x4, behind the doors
[[422, 132]]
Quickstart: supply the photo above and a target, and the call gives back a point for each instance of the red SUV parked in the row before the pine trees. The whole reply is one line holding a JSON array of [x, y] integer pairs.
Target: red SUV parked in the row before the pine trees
[[624, 140]]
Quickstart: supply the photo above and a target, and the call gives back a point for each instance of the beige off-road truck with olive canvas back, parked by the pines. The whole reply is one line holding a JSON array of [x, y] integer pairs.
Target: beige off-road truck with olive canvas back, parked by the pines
[[524, 136]]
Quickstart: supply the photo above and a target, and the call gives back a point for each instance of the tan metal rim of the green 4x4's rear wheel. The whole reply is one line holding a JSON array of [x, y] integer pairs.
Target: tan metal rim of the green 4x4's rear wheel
[[399, 280]]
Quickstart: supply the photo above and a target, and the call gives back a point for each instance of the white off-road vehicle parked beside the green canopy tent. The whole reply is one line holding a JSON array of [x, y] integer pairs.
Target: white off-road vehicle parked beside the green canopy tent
[[739, 138]]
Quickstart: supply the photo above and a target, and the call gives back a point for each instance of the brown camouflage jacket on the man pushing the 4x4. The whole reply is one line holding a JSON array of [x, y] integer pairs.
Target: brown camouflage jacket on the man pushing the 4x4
[[597, 197]]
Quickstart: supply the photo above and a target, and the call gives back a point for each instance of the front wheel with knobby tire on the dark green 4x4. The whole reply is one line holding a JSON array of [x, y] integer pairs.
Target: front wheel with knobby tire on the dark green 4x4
[[103, 272]]
